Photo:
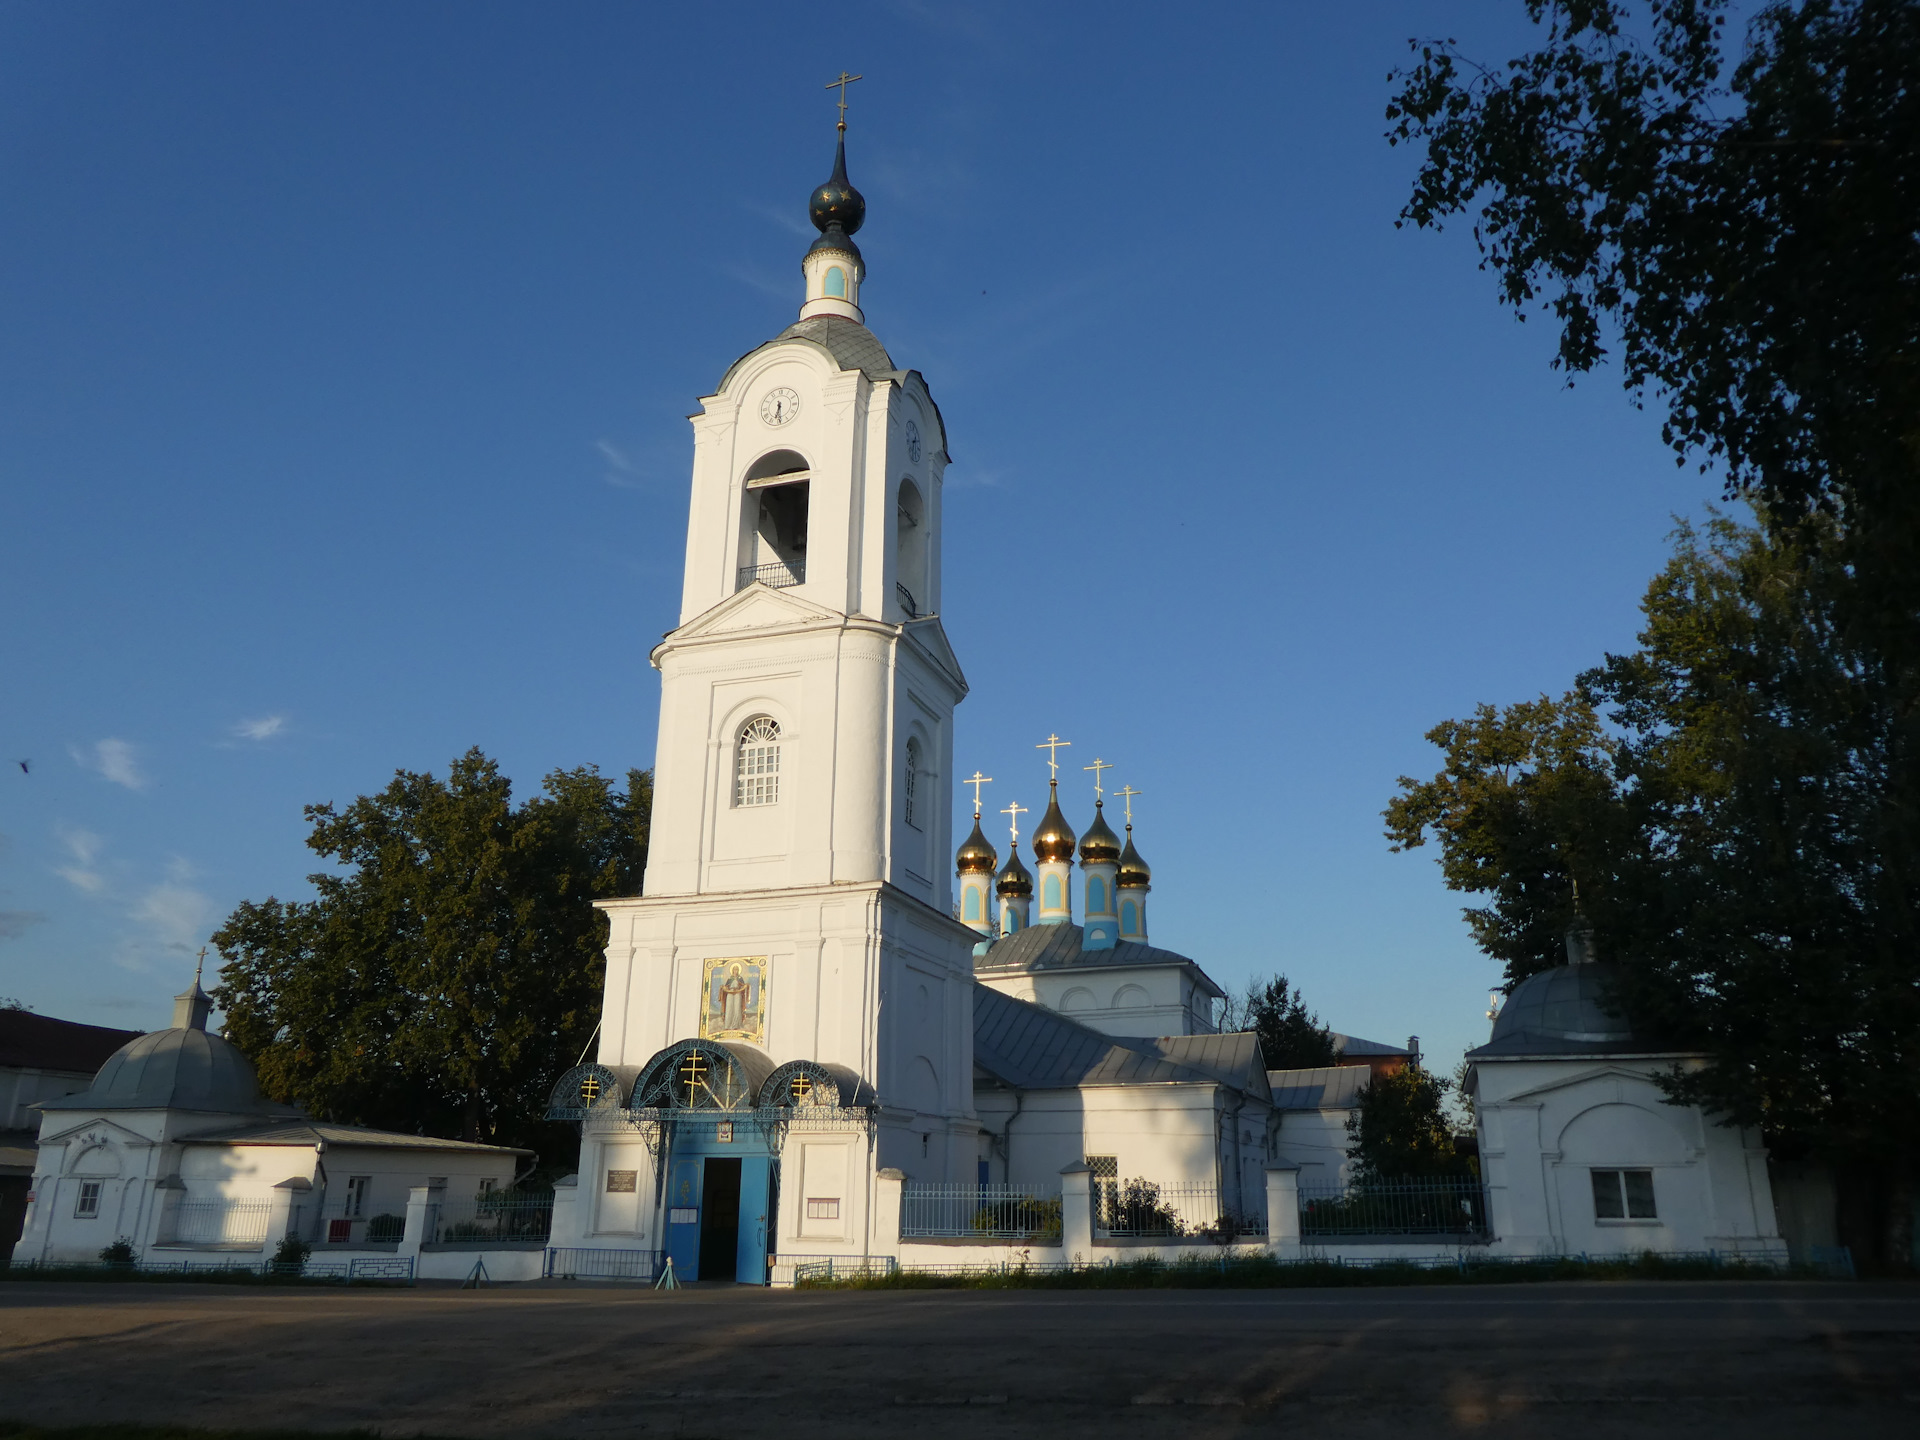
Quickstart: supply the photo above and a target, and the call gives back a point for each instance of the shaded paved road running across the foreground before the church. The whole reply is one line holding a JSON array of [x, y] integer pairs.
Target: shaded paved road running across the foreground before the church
[[1537, 1360]]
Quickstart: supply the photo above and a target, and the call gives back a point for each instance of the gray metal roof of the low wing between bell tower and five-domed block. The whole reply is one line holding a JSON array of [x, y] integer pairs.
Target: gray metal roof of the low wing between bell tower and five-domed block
[[1036, 1049]]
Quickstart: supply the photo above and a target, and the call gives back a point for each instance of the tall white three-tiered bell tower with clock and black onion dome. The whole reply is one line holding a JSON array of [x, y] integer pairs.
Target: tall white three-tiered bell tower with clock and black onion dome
[[798, 915]]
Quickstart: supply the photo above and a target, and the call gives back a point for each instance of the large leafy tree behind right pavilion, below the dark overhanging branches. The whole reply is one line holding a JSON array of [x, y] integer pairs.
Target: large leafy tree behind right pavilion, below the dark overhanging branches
[[1746, 852]]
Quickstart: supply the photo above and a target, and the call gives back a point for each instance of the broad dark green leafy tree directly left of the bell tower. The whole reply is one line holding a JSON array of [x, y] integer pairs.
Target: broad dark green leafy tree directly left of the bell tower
[[454, 971]]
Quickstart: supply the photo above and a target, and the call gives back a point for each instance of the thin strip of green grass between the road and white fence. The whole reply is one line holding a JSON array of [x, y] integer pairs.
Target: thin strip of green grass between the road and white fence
[[1268, 1274]]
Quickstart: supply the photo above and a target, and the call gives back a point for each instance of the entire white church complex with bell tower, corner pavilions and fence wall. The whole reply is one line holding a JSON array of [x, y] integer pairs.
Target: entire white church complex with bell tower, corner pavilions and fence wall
[[811, 1047]]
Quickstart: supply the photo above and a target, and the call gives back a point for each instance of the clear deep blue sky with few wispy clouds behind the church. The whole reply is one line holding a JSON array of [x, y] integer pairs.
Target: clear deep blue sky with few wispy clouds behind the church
[[345, 364]]
